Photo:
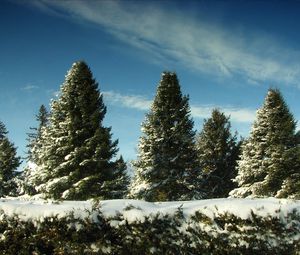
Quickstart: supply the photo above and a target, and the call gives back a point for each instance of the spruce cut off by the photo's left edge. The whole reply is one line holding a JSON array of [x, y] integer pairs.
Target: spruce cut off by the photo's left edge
[[8, 163]]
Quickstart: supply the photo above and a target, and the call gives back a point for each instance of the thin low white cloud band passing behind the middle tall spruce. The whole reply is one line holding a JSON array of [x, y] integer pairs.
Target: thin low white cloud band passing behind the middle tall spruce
[[141, 103]]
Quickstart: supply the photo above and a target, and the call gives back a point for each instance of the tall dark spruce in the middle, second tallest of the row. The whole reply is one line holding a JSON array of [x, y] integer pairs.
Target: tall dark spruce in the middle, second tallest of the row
[[166, 168]]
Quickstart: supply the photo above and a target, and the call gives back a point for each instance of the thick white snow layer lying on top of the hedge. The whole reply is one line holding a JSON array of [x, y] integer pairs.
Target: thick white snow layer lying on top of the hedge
[[136, 210]]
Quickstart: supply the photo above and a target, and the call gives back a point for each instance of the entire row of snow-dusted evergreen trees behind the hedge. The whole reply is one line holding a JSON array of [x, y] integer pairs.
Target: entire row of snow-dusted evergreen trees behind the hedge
[[72, 156]]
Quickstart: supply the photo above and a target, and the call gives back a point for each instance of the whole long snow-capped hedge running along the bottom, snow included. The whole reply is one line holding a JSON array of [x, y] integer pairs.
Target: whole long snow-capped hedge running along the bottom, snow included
[[220, 226]]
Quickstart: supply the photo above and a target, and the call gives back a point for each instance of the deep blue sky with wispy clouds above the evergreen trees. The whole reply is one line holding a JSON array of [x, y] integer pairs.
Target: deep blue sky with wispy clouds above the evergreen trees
[[225, 53]]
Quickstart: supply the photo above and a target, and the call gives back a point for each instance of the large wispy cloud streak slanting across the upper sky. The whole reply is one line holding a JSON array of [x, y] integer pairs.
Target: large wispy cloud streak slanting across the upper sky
[[172, 36]]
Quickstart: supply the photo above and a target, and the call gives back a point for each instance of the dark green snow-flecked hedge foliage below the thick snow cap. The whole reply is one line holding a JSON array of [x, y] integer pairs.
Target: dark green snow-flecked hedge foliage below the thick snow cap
[[158, 234]]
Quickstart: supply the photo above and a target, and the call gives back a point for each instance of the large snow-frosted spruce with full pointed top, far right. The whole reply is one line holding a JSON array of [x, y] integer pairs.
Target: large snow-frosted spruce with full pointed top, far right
[[269, 153]]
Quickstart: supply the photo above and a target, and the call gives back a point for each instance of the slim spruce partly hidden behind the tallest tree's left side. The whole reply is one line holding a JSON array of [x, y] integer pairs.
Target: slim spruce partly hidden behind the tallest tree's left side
[[31, 176]]
